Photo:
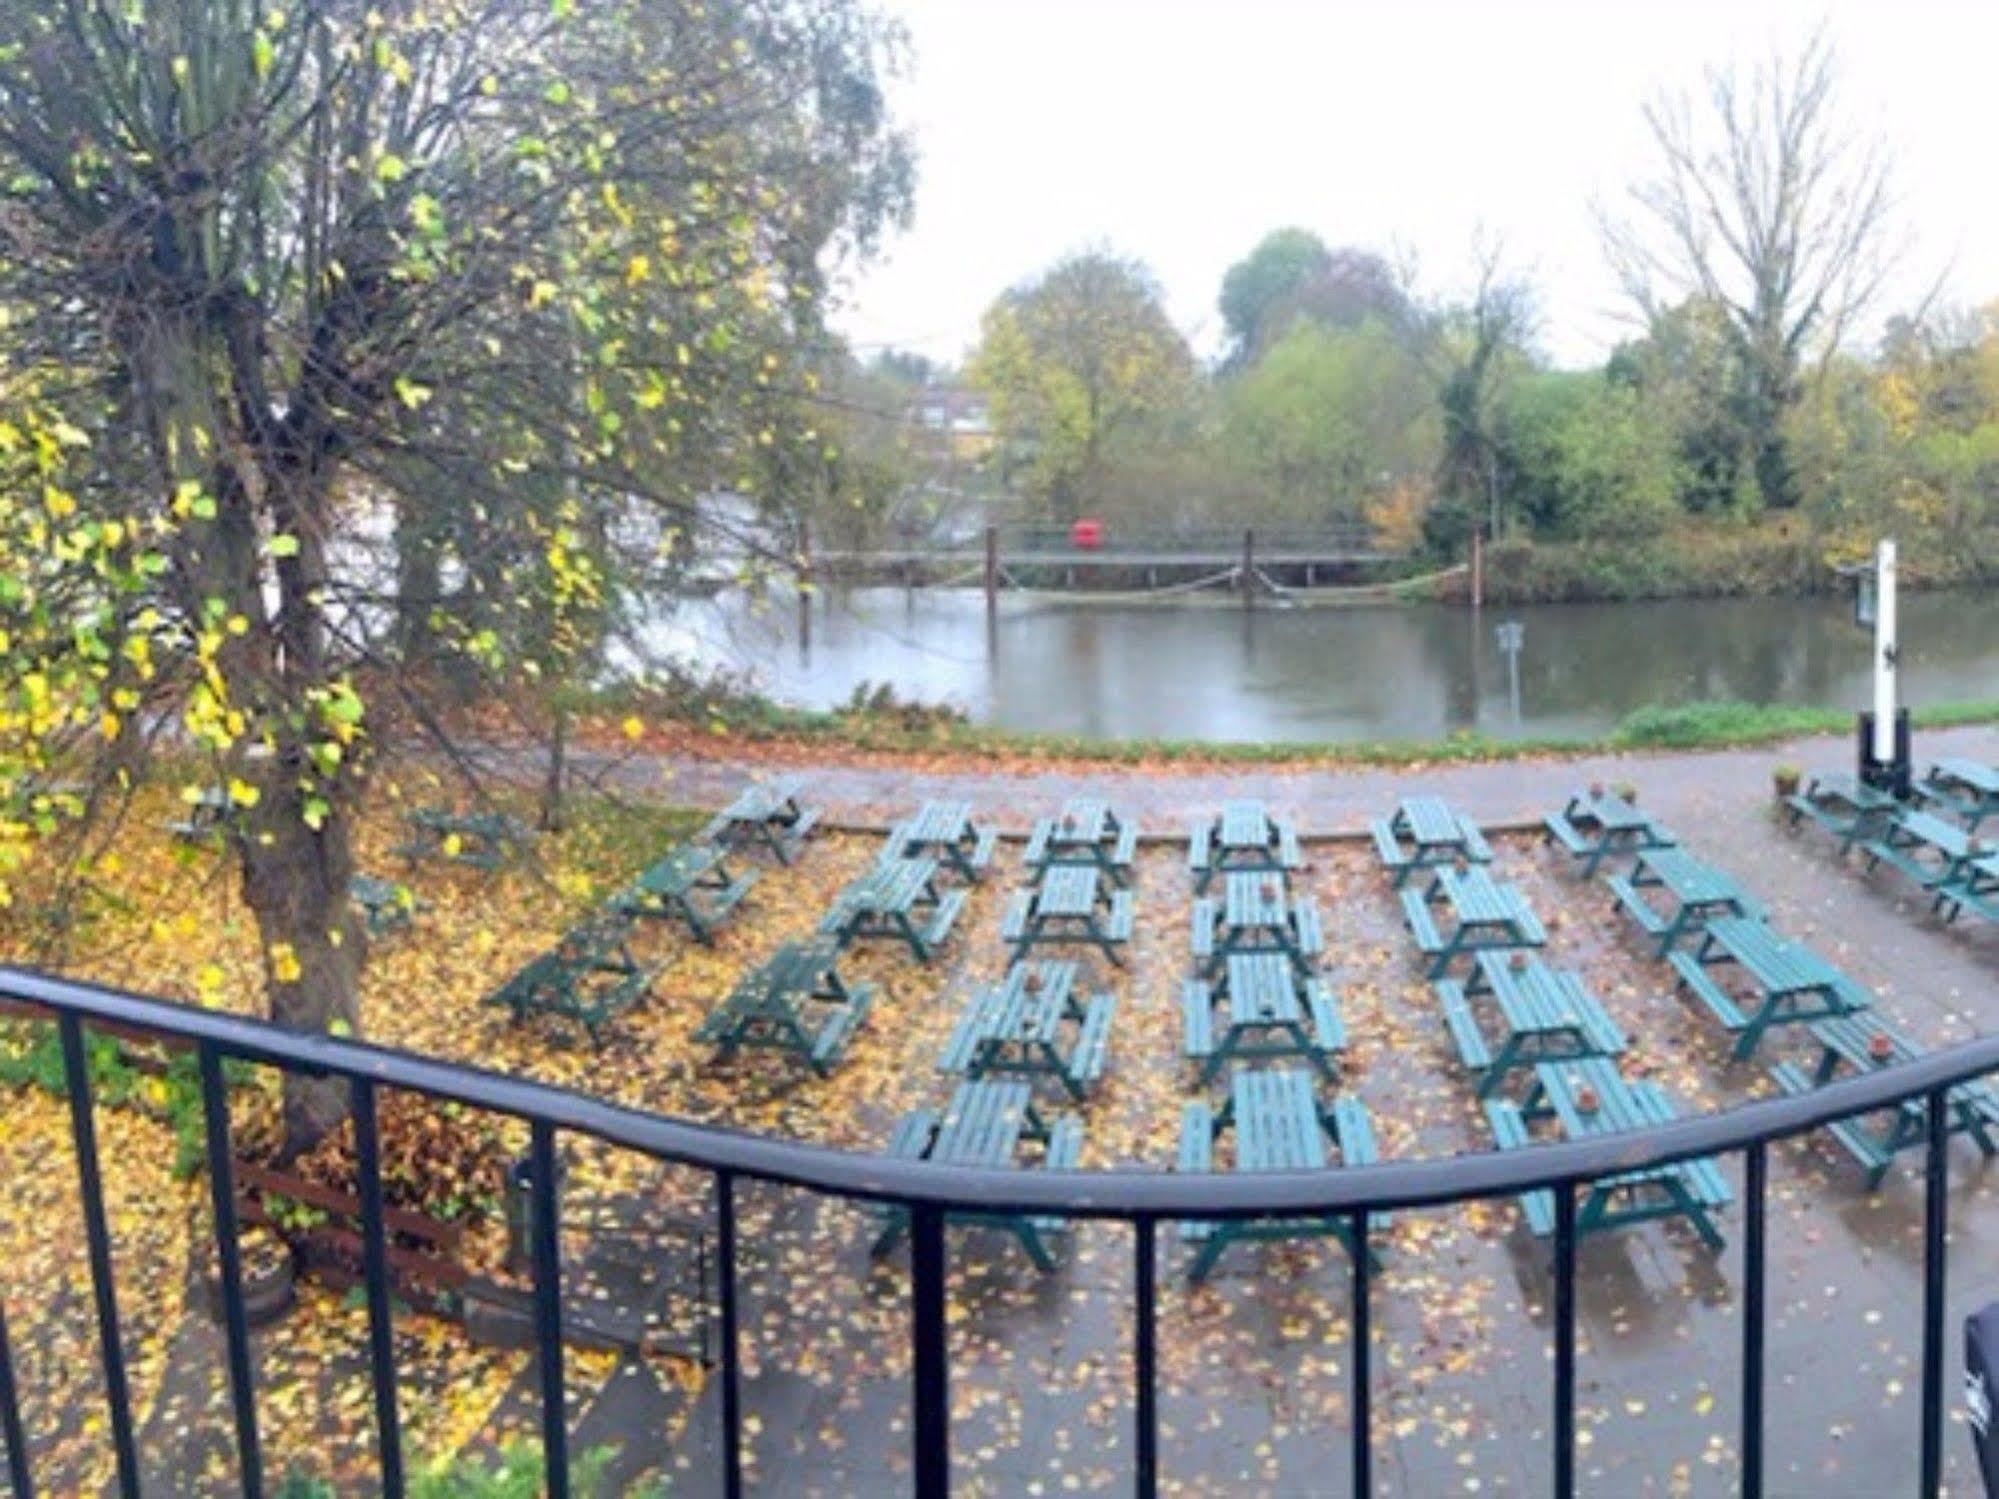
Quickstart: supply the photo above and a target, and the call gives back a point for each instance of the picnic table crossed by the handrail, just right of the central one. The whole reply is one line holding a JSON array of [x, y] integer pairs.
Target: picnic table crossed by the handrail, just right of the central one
[[1592, 1098]]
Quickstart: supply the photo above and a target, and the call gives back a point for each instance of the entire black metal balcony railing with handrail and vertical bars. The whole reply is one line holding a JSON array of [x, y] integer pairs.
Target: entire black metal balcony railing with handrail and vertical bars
[[1142, 1200]]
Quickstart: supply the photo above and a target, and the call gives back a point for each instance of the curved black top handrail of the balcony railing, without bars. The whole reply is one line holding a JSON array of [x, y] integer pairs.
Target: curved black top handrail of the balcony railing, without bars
[[1136, 1196]]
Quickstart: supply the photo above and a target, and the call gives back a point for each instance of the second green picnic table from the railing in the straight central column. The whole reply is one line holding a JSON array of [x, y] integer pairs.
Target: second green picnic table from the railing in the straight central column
[[1266, 1012]]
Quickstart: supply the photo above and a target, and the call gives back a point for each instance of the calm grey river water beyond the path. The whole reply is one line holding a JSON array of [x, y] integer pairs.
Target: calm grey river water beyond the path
[[1218, 673]]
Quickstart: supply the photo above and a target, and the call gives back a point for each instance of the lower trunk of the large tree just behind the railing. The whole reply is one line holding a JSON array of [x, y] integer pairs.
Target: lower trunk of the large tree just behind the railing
[[297, 884]]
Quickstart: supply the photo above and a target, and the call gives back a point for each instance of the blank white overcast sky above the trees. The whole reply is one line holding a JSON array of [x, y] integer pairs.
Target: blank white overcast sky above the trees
[[1180, 131]]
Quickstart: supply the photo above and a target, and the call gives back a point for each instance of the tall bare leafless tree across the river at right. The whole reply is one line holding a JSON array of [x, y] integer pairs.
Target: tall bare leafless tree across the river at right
[[1768, 211]]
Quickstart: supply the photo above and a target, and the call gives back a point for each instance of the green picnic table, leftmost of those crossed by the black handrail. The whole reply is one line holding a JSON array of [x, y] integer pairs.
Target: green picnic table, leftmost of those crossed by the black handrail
[[985, 1126]]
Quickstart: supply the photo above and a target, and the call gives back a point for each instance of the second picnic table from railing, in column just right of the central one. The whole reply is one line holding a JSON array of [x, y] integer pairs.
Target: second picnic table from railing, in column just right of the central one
[[1546, 1014]]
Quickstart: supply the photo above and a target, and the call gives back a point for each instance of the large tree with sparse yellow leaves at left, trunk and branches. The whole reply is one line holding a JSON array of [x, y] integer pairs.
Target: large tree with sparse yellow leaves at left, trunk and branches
[[519, 273]]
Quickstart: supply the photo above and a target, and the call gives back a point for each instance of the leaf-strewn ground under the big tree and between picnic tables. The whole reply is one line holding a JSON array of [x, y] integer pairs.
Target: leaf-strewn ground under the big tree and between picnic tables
[[1254, 1366]]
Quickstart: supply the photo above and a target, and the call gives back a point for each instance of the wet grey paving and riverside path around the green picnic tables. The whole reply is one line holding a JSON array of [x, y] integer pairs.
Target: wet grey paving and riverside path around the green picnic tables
[[1254, 1366]]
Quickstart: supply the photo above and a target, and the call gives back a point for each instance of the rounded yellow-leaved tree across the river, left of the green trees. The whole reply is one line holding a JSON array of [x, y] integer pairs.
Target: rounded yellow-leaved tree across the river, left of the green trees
[[1074, 363]]
